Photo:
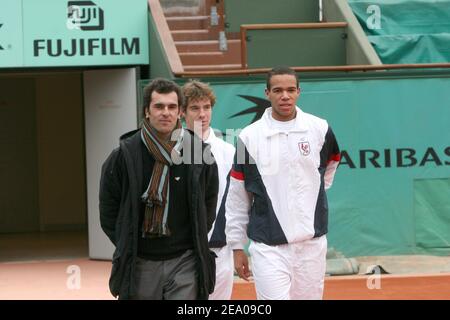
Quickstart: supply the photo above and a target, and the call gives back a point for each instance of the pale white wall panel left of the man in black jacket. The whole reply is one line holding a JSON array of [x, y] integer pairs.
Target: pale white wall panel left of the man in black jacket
[[110, 106]]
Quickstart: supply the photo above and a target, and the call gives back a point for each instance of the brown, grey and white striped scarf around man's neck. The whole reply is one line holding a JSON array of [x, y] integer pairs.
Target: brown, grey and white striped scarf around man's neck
[[156, 197]]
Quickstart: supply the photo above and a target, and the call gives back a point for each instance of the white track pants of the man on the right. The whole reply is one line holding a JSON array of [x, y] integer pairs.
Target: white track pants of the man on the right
[[294, 271]]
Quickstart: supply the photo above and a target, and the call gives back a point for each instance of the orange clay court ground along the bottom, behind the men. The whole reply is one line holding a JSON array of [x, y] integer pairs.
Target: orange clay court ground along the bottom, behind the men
[[57, 280]]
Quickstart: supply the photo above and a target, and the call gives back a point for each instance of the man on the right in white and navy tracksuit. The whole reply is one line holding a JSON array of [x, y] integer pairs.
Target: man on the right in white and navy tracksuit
[[283, 164]]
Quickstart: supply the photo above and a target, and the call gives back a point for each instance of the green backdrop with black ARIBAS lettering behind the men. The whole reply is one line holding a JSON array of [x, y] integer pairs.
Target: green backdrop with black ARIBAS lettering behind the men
[[391, 193]]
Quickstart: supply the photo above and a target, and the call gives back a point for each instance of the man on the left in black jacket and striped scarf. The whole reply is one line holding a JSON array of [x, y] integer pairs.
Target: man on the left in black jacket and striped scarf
[[158, 203]]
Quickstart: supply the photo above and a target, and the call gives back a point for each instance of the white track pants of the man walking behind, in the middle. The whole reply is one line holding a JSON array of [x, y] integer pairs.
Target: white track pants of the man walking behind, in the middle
[[224, 274]]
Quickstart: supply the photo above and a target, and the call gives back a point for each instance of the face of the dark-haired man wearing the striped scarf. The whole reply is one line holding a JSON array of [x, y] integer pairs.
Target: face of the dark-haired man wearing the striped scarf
[[163, 113]]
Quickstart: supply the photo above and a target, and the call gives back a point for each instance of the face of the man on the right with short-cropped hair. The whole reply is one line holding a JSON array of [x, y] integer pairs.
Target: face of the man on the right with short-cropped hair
[[283, 95]]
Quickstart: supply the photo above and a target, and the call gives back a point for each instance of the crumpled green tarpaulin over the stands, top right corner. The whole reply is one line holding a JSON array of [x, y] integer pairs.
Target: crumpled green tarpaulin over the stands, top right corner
[[406, 31]]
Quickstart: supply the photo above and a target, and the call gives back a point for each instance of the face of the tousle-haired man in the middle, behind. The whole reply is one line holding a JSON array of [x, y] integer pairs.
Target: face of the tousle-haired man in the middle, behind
[[198, 115]]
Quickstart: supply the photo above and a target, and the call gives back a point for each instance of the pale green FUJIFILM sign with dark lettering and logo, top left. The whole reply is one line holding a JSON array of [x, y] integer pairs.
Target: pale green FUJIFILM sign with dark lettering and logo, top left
[[79, 32]]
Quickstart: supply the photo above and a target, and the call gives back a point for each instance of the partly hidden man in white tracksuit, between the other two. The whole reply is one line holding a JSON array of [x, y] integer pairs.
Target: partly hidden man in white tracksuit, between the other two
[[197, 111]]
